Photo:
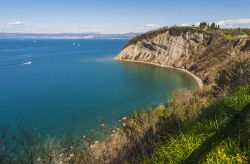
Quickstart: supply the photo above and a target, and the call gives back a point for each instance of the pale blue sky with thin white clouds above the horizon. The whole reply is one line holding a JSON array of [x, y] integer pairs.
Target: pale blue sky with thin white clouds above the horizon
[[117, 16]]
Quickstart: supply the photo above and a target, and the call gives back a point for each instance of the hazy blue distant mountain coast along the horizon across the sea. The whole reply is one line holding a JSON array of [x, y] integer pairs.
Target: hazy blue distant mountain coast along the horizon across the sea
[[66, 36]]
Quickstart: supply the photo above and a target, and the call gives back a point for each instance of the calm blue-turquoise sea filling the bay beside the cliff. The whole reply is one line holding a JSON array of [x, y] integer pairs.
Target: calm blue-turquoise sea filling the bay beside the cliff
[[57, 86]]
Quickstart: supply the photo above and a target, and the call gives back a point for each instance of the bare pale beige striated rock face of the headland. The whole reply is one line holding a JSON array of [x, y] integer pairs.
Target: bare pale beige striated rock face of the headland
[[165, 49]]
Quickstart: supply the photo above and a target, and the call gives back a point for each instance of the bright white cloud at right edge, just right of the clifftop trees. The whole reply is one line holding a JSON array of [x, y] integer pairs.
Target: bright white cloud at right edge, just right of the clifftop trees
[[239, 23]]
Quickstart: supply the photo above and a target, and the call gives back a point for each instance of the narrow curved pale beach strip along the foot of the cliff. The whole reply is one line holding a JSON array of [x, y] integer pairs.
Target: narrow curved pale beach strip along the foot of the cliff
[[197, 79]]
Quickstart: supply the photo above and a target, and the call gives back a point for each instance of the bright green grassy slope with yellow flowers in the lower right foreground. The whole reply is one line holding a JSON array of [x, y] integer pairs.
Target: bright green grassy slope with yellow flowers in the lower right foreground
[[221, 134]]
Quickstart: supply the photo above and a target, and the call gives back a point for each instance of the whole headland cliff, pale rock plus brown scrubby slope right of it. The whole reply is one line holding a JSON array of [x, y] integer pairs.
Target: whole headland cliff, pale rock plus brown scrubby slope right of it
[[196, 51]]
